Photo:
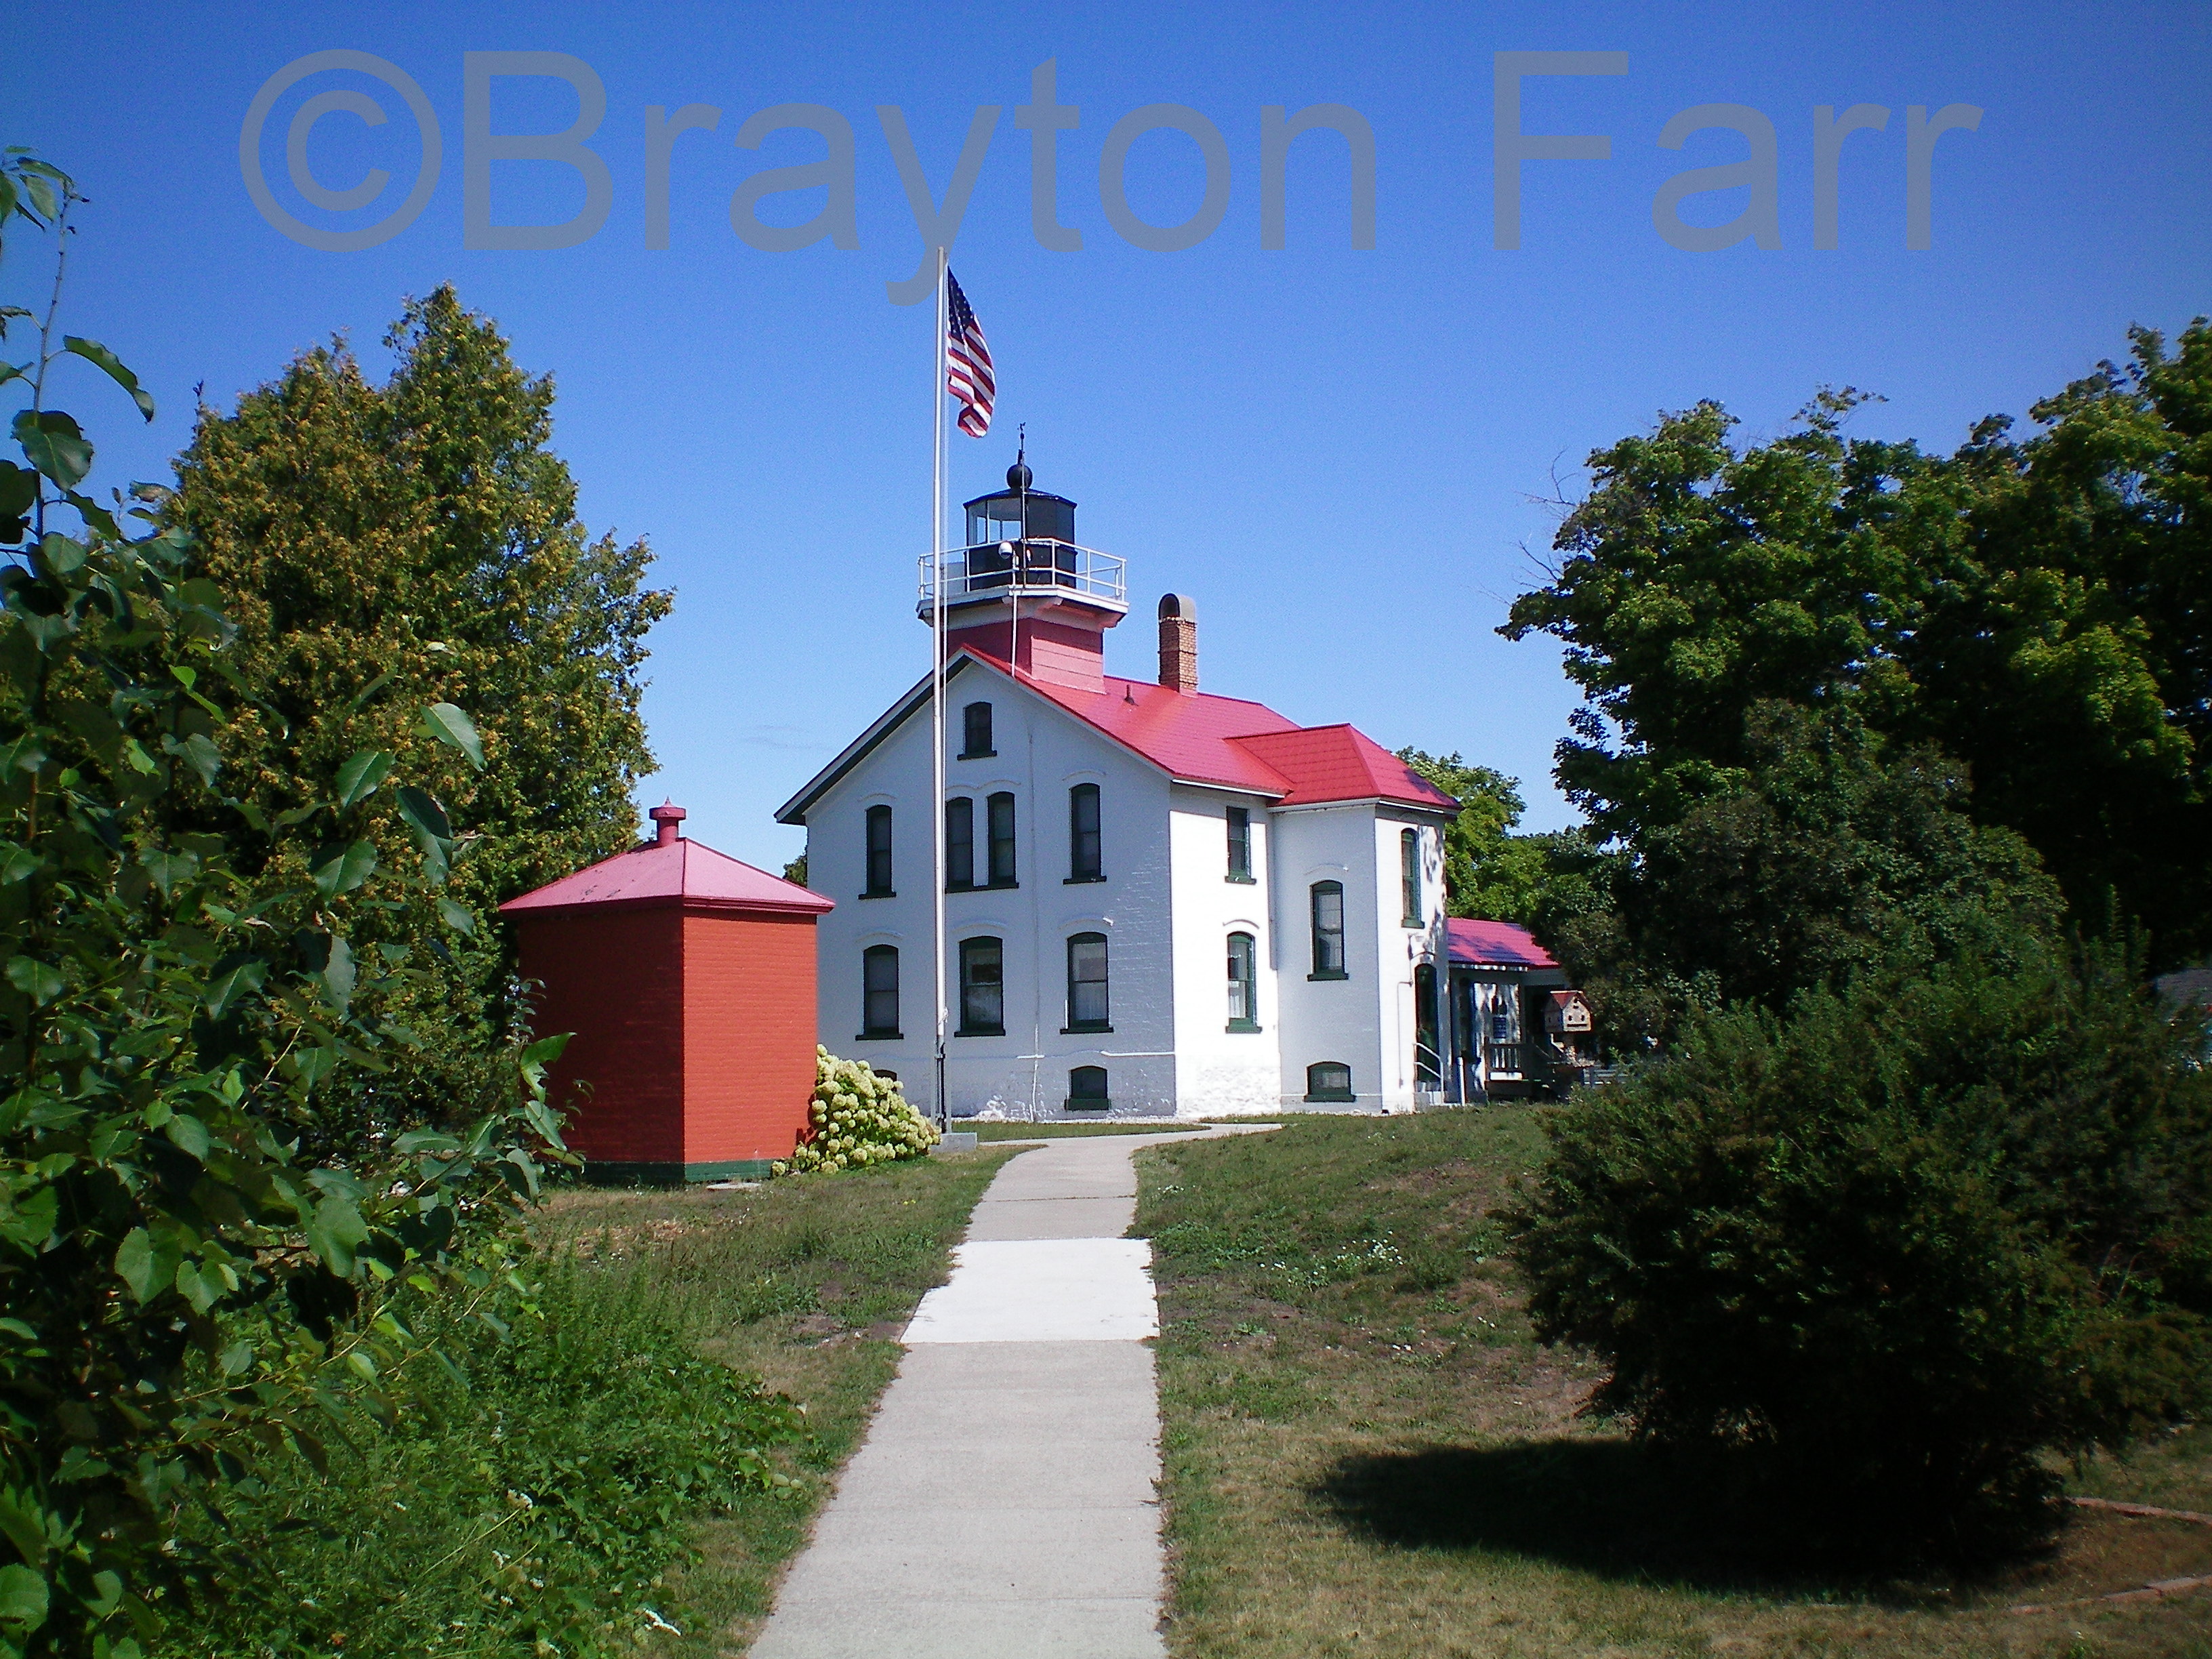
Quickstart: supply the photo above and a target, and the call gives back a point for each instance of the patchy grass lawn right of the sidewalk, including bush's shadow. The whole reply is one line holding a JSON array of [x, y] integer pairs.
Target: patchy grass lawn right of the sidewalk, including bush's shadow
[[1368, 1452]]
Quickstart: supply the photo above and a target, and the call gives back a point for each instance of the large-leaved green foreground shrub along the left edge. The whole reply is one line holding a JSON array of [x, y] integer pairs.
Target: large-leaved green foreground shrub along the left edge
[[182, 1288]]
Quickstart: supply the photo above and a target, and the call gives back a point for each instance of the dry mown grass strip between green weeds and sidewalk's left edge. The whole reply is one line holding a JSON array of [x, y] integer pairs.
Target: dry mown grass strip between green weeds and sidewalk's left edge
[[808, 1284]]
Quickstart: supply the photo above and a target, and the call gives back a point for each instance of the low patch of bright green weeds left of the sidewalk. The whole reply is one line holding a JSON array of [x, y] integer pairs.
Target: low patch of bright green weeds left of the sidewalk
[[530, 1503]]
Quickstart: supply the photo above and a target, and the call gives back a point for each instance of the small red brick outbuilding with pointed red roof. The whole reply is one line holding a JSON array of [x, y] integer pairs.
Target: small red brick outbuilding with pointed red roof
[[689, 983]]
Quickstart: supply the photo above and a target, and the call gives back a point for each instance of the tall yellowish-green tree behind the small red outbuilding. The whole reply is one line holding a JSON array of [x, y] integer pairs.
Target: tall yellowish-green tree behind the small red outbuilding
[[417, 543]]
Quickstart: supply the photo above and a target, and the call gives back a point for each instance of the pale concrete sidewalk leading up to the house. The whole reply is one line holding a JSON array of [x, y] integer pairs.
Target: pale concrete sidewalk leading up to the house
[[1005, 1501]]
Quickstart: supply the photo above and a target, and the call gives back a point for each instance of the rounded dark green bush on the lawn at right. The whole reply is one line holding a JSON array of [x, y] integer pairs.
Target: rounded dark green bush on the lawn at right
[[1899, 1242]]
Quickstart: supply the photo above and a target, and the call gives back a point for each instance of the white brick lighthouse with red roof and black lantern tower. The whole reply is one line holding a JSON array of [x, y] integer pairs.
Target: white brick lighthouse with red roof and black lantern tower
[[1158, 901]]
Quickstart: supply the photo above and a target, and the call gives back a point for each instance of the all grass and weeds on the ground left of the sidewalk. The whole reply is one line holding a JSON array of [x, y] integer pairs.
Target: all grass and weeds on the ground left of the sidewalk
[[563, 1490]]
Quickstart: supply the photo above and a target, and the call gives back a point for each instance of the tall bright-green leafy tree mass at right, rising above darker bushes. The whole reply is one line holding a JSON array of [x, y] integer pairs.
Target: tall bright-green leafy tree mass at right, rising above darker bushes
[[2036, 609]]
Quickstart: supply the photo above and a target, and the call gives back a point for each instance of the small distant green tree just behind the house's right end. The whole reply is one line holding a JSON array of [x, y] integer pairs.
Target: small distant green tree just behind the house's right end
[[1494, 873]]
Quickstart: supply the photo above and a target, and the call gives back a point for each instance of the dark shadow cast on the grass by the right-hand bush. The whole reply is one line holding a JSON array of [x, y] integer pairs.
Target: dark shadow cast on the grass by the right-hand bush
[[1625, 1512]]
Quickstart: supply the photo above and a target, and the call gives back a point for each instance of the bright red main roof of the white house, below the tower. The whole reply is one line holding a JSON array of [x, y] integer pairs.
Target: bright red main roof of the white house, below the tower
[[1244, 747]]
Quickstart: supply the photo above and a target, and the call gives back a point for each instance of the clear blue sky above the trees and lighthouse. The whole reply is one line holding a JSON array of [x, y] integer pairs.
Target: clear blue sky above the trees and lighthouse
[[1348, 457]]
